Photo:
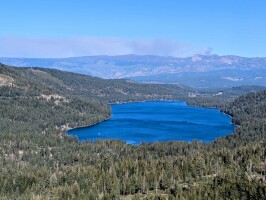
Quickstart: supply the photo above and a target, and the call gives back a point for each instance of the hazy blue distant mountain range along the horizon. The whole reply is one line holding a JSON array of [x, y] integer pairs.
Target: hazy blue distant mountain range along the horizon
[[199, 71]]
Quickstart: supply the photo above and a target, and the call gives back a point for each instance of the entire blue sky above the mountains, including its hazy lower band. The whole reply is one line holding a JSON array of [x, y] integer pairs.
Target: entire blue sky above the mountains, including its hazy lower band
[[63, 28]]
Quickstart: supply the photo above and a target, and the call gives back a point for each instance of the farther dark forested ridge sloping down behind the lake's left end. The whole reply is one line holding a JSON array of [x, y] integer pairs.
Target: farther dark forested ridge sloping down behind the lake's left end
[[113, 90]]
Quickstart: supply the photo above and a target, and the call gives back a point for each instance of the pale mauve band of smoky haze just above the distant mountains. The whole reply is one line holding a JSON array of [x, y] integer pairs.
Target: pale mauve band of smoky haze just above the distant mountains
[[87, 46]]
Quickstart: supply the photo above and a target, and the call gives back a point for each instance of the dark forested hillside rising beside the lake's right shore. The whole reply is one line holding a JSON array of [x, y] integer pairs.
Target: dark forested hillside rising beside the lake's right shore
[[249, 113]]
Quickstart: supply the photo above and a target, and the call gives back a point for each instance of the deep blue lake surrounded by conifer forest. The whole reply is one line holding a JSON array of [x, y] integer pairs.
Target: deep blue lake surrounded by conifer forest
[[158, 121]]
